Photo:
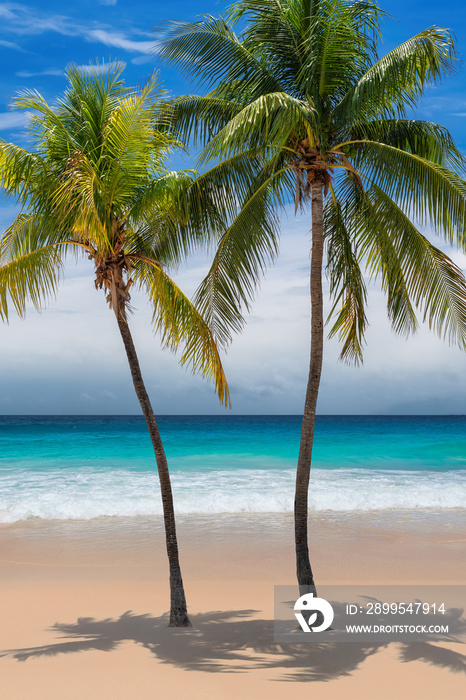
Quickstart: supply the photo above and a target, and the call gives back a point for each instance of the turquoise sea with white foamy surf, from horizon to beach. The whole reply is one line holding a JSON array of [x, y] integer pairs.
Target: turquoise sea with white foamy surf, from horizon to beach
[[83, 467]]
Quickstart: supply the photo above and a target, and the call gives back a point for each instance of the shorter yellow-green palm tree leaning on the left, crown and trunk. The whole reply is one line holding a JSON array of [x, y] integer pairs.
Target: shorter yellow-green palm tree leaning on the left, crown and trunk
[[95, 183]]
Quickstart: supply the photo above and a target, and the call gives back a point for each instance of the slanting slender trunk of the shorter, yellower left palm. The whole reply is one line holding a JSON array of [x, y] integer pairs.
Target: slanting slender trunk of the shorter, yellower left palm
[[178, 610]]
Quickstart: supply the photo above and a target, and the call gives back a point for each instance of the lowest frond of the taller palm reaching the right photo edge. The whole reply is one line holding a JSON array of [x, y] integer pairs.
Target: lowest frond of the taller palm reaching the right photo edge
[[413, 272]]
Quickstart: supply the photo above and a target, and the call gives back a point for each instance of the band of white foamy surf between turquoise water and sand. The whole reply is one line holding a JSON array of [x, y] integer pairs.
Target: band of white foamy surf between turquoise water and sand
[[91, 493]]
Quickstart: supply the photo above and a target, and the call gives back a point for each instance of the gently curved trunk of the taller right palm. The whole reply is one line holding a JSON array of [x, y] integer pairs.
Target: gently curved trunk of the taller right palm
[[303, 565]]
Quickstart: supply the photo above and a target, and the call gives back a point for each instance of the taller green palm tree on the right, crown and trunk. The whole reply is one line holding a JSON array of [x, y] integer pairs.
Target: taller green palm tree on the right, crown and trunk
[[302, 97]]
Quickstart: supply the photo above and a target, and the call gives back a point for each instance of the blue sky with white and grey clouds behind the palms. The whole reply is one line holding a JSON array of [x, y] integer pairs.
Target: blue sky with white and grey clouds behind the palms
[[69, 359]]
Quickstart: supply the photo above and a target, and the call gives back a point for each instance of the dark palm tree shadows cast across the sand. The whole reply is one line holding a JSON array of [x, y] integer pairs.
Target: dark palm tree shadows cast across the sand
[[229, 642]]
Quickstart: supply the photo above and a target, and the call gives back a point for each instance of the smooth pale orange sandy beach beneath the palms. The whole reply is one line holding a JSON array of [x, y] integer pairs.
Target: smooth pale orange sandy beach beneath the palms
[[84, 608]]
